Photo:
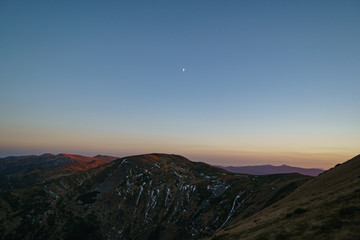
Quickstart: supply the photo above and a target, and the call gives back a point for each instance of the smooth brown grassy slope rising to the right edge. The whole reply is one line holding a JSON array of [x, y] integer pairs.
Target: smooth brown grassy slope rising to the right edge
[[326, 207]]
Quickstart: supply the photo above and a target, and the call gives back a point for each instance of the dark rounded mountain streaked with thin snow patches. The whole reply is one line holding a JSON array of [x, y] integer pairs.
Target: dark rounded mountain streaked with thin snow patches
[[154, 196]]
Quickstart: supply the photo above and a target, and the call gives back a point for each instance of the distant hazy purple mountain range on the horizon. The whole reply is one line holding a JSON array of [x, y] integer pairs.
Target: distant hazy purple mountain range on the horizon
[[269, 169]]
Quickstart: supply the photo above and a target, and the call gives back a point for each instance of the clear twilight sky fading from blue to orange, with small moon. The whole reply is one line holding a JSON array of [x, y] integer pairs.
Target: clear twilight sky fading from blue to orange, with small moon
[[224, 82]]
